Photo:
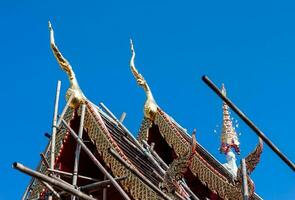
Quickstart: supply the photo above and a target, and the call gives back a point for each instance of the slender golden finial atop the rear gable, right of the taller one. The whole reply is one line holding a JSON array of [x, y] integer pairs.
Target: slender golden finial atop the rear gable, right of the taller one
[[150, 106]]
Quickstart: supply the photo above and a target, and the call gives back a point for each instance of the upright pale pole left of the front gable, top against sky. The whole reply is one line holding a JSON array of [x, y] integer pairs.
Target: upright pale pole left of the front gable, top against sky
[[52, 151]]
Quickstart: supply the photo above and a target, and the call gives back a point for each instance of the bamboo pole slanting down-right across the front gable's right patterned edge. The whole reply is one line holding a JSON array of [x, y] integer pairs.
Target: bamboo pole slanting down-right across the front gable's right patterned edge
[[140, 176]]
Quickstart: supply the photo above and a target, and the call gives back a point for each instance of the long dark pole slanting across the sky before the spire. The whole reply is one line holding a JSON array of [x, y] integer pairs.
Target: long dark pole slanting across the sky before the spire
[[248, 122]]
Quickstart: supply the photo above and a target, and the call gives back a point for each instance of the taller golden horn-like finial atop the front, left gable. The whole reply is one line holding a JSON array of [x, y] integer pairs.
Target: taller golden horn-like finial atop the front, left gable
[[74, 89]]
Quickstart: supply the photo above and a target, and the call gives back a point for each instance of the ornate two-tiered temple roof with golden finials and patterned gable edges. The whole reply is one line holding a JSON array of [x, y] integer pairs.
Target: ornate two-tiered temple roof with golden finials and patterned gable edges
[[164, 162]]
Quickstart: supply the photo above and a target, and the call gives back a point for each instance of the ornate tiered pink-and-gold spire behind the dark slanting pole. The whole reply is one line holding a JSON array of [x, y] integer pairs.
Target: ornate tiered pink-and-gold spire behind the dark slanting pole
[[229, 138]]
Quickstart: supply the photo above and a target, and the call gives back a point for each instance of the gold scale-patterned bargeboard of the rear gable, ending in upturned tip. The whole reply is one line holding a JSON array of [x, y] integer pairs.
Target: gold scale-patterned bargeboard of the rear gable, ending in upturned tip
[[205, 172]]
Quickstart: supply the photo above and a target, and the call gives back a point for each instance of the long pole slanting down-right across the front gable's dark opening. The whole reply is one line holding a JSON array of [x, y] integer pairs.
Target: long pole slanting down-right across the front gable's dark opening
[[96, 162]]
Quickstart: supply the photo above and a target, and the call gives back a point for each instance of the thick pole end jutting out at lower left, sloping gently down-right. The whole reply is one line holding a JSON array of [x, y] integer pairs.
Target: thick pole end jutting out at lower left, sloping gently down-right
[[52, 181]]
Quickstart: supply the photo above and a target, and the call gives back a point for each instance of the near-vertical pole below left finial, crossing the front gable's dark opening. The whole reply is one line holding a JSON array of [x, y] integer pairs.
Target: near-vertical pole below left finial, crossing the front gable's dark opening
[[78, 150]]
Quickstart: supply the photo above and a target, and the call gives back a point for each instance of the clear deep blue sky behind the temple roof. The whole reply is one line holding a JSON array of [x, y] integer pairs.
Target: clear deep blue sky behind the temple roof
[[250, 46]]
